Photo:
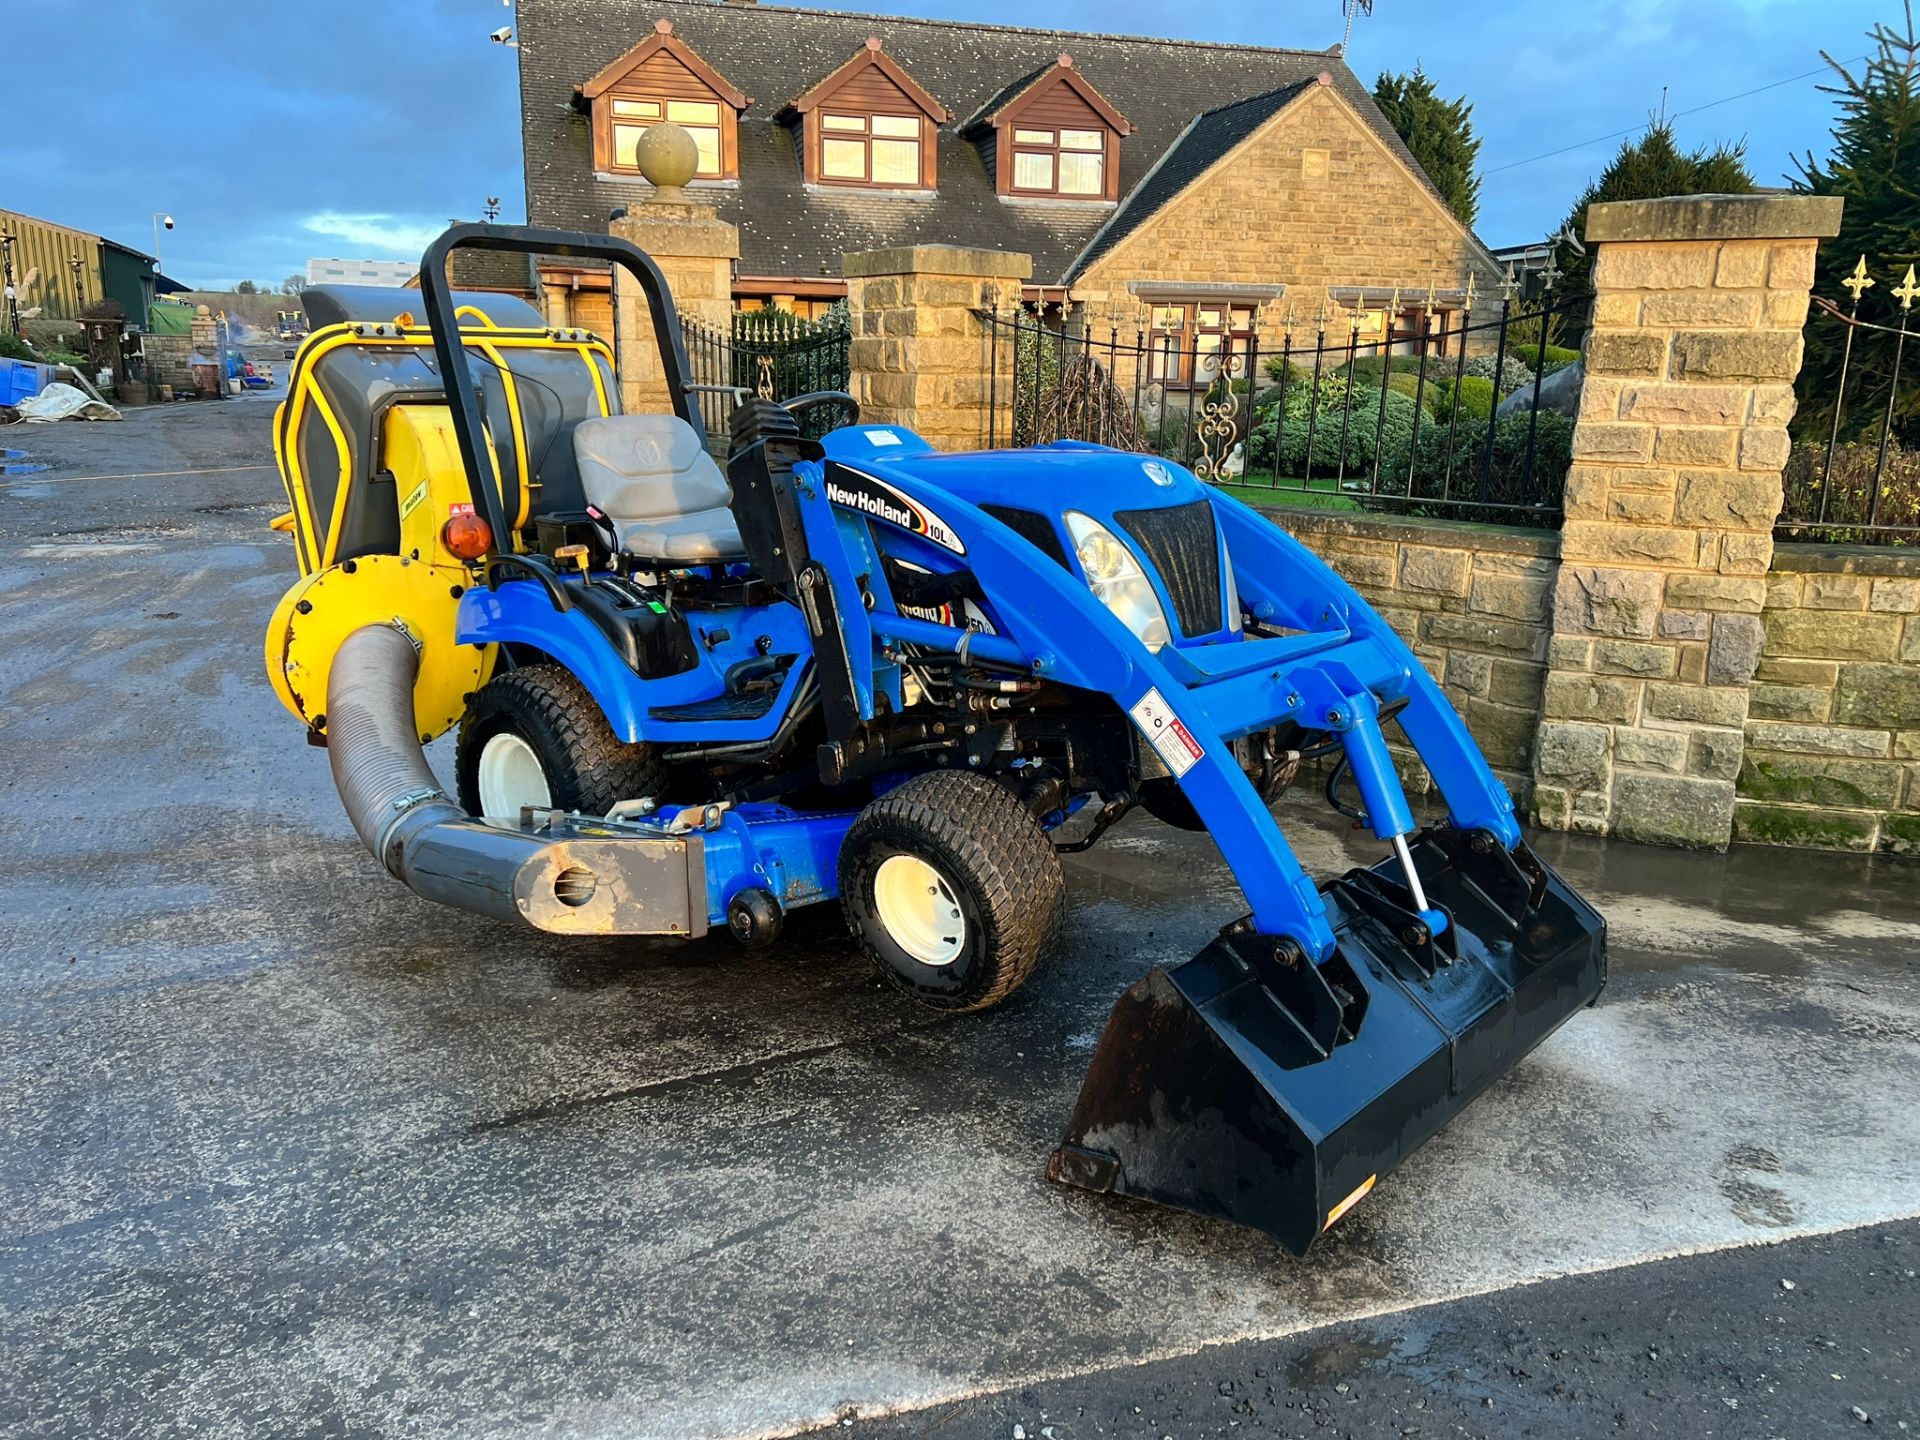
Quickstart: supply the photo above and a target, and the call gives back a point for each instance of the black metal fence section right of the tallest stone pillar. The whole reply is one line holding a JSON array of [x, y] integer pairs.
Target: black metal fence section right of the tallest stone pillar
[[1854, 473]]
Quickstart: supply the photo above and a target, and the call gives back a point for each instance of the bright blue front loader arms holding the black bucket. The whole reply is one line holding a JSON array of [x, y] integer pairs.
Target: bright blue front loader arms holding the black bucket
[[1332, 677]]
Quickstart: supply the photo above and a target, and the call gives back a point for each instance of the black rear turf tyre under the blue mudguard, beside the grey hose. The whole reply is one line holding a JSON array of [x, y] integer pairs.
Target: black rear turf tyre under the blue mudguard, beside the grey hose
[[588, 767]]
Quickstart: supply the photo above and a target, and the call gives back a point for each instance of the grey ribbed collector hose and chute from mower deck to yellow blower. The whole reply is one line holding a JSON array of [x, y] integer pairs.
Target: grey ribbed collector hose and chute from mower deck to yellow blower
[[554, 873]]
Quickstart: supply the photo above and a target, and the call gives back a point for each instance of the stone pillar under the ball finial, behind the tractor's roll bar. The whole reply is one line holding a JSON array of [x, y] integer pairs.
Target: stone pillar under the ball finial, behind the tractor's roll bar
[[696, 252]]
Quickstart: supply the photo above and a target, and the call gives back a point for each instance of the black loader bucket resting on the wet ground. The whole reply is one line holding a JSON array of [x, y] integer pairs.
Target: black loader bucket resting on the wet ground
[[1255, 1086]]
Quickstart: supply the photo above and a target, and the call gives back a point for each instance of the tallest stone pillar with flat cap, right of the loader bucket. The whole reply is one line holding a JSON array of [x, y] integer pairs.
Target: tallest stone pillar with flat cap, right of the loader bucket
[[1671, 504]]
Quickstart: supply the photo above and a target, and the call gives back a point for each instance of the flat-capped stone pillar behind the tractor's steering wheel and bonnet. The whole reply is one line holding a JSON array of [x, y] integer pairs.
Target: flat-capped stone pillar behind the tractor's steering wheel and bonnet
[[921, 348]]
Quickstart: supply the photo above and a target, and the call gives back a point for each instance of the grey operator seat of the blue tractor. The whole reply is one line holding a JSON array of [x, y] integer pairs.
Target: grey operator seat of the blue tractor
[[663, 492]]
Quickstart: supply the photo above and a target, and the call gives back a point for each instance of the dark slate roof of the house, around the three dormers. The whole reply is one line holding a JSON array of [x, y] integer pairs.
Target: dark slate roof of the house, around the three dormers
[[777, 51]]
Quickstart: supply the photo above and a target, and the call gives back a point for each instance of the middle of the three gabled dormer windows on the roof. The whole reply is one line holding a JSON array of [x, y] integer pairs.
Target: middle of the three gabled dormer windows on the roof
[[869, 124]]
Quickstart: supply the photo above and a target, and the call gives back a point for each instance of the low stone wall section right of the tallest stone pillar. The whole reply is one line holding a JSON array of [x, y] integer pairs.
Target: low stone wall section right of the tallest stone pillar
[[1833, 750]]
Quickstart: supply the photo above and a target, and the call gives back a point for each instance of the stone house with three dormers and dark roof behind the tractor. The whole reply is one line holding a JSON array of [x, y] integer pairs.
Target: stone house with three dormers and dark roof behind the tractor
[[1186, 185]]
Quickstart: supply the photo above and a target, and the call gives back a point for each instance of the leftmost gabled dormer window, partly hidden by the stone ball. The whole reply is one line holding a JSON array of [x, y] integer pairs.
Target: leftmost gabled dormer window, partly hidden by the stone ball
[[661, 80]]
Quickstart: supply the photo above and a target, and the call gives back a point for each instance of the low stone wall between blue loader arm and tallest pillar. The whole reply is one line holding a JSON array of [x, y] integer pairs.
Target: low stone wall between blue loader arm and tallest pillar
[[1472, 602]]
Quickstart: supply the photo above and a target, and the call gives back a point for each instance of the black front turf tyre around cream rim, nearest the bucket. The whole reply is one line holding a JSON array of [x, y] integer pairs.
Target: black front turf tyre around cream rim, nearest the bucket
[[984, 840]]
